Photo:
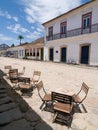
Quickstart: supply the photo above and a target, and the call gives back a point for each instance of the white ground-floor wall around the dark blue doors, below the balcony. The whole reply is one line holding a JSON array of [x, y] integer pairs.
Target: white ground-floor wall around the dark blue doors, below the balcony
[[73, 48]]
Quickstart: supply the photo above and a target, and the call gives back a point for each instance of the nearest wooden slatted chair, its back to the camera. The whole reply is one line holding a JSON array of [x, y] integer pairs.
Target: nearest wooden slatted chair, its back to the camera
[[63, 105]]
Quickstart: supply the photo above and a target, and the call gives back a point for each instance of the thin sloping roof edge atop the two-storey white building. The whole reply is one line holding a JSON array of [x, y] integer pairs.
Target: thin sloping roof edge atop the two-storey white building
[[68, 12]]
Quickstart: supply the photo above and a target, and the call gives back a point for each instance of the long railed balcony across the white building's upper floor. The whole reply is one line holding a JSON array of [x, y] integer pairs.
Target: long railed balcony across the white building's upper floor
[[74, 32]]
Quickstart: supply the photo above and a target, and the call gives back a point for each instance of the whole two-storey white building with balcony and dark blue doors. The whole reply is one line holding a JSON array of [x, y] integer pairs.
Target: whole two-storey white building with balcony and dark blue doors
[[73, 36]]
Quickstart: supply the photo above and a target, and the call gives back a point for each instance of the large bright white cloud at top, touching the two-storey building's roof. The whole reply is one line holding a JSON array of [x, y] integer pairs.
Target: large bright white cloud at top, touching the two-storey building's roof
[[44, 10]]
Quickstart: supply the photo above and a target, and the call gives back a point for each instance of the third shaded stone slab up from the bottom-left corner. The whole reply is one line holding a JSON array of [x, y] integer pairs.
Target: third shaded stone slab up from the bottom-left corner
[[6, 107]]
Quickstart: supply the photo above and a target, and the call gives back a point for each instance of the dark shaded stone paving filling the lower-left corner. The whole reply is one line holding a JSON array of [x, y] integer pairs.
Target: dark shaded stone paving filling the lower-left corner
[[15, 114]]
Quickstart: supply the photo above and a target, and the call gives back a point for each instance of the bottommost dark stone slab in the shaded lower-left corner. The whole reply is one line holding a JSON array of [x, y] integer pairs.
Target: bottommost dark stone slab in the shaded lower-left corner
[[18, 125]]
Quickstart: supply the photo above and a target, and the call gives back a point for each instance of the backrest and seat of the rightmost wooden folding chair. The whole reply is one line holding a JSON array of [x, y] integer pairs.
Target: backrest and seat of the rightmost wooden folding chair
[[81, 95]]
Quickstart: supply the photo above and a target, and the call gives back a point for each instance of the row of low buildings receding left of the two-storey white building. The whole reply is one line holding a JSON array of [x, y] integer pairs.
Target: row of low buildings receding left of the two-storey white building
[[33, 50]]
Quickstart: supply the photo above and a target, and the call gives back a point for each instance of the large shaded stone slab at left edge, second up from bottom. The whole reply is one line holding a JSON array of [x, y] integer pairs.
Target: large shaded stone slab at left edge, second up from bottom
[[9, 116]]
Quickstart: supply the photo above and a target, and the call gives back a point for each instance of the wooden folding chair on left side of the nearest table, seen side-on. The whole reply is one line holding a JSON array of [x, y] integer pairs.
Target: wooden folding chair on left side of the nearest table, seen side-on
[[45, 97]]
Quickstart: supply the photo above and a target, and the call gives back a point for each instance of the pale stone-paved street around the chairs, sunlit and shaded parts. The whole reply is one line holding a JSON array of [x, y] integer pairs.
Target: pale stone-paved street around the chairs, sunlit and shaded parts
[[70, 78]]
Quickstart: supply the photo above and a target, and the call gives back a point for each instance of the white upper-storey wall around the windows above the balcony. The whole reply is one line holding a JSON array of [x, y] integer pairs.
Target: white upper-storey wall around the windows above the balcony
[[74, 19]]
